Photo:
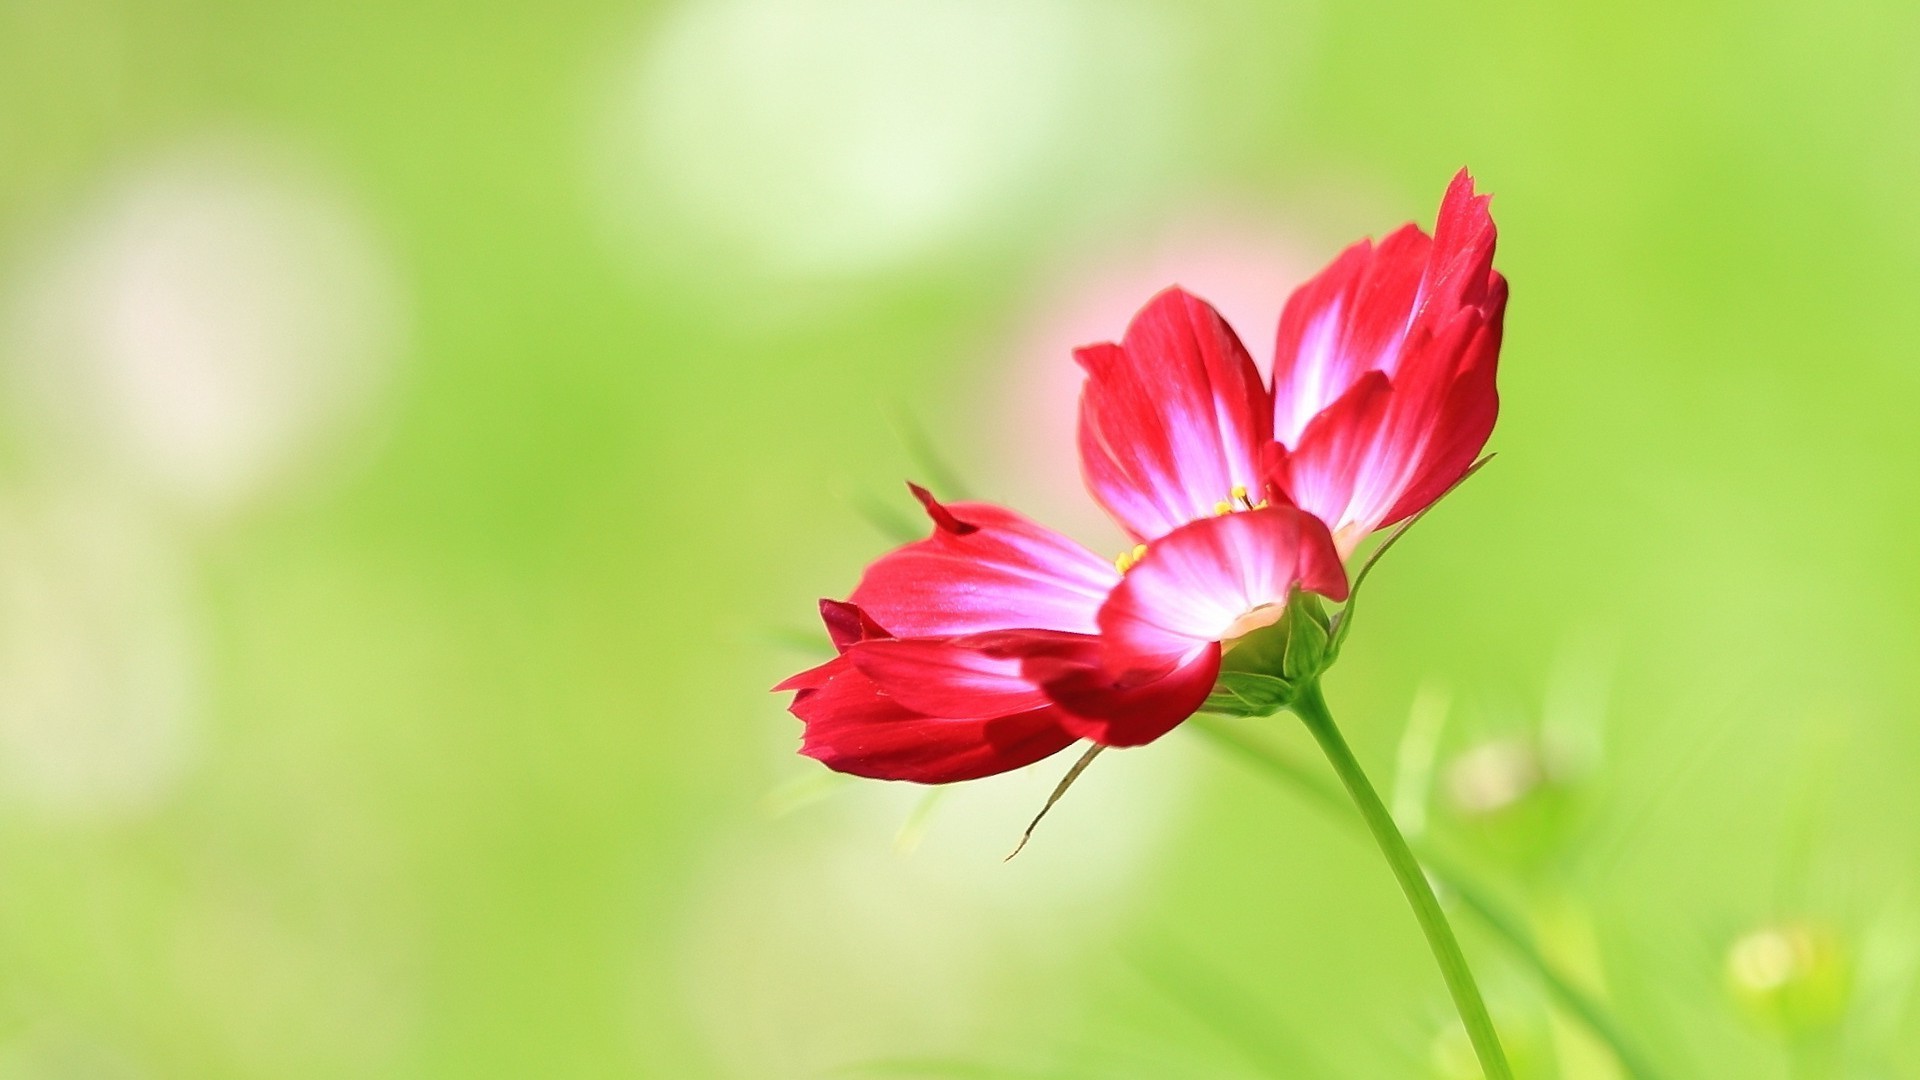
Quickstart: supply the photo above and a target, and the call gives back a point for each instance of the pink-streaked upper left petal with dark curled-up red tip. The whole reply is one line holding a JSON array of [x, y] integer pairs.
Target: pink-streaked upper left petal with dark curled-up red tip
[[986, 568]]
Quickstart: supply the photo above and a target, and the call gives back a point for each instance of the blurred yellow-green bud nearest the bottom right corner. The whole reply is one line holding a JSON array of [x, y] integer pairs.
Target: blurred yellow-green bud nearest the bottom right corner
[[1792, 977]]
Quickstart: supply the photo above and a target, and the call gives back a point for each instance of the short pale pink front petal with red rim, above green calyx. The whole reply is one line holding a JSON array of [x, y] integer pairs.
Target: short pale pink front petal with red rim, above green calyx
[[1197, 583]]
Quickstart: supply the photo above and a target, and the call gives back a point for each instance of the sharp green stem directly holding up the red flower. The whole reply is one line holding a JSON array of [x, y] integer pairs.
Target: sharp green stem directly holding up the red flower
[[1468, 1002]]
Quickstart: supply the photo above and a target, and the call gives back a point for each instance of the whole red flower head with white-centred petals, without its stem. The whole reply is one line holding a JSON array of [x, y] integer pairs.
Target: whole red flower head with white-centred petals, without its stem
[[997, 643]]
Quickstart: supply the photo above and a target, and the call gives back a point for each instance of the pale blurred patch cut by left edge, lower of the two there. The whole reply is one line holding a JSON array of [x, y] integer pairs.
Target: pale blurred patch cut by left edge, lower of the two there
[[99, 662]]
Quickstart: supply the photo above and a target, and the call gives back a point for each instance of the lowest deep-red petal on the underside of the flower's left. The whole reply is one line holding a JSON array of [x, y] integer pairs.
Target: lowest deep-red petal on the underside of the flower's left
[[852, 727]]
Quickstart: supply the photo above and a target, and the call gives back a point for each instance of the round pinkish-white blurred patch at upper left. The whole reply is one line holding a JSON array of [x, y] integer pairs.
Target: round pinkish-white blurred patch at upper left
[[204, 326]]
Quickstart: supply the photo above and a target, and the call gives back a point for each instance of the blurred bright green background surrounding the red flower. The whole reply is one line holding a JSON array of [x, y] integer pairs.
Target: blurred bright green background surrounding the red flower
[[429, 426]]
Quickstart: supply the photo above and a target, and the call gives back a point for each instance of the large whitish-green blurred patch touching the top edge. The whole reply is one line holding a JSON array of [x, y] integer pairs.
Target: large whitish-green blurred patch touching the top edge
[[832, 137]]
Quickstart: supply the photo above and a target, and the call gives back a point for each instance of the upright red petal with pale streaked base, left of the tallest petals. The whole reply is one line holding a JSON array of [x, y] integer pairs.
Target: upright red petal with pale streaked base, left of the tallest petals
[[1172, 418]]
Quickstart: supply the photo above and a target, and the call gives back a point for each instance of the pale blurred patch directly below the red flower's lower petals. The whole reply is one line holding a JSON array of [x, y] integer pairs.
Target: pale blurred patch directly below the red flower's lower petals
[[836, 937]]
